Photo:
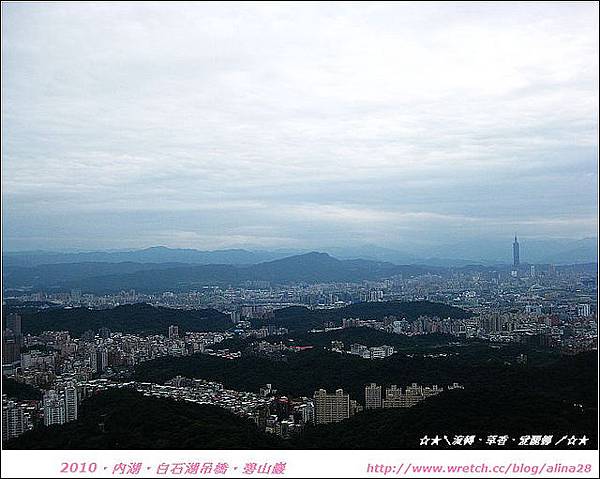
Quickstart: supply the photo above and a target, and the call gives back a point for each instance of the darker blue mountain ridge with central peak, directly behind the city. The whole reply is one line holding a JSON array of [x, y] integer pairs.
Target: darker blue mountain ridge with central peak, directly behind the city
[[314, 267]]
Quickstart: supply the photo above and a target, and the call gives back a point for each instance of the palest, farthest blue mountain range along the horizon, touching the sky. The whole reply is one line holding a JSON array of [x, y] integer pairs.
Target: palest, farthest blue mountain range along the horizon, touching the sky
[[488, 252]]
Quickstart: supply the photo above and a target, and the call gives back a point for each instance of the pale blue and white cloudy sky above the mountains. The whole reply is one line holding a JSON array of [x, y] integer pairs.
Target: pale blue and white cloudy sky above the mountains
[[297, 125]]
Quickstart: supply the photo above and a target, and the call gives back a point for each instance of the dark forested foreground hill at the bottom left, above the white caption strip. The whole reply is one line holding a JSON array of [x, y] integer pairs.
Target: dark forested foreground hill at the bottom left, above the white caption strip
[[133, 421]]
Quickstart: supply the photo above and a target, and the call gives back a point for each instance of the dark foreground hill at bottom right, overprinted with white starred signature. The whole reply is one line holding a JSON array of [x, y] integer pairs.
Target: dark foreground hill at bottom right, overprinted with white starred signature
[[480, 412]]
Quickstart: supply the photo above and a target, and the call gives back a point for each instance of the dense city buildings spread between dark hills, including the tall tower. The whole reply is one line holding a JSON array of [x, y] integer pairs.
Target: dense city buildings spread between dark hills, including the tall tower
[[539, 306]]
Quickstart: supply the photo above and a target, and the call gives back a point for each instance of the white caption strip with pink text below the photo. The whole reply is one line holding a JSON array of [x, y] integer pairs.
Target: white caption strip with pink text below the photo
[[291, 464]]
